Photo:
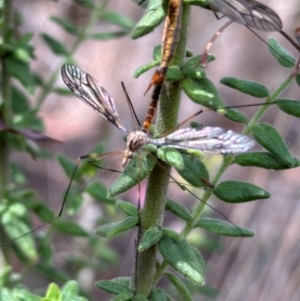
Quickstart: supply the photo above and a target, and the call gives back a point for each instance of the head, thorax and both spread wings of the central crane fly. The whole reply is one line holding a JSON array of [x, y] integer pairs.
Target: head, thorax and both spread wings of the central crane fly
[[208, 139]]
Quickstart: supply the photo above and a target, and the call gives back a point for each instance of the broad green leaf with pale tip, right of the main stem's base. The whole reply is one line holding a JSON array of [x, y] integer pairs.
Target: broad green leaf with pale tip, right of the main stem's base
[[182, 257]]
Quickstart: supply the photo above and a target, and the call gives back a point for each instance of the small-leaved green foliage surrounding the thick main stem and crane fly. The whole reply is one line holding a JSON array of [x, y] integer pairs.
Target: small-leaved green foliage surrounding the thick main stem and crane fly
[[22, 130]]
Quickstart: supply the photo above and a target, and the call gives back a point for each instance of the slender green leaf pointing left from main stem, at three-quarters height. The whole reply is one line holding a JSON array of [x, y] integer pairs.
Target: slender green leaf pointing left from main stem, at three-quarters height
[[113, 229]]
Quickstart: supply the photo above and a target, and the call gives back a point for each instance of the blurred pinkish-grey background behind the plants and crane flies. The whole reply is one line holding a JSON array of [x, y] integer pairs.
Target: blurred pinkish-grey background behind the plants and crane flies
[[265, 267]]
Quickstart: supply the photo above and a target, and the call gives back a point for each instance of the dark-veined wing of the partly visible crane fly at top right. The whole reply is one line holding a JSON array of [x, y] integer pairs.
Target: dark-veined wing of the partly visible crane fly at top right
[[249, 13]]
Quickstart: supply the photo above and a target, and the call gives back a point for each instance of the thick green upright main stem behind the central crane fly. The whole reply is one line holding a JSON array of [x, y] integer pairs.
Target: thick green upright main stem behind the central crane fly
[[153, 211]]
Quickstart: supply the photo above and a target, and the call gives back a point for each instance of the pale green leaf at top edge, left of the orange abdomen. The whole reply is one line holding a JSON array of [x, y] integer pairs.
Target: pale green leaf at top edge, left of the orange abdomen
[[153, 16]]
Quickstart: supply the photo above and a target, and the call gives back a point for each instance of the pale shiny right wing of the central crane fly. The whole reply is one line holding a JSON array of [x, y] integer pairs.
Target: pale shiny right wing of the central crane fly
[[208, 139]]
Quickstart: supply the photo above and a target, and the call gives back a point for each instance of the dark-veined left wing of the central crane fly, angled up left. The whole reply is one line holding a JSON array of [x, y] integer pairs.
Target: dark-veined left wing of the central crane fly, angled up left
[[85, 87]]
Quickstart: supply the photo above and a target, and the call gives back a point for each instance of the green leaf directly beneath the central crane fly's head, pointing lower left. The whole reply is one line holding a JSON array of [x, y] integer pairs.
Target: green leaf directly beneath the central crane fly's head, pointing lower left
[[137, 169]]
